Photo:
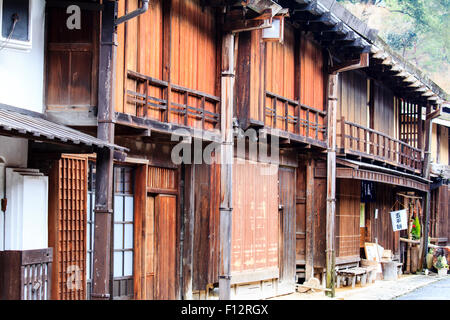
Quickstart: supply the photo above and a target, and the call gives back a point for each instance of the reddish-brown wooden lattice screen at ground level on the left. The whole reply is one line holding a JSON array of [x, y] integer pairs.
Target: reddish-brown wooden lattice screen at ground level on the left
[[67, 227]]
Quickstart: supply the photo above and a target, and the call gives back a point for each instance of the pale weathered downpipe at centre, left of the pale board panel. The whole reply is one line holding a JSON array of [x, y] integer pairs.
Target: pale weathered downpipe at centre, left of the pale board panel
[[226, 173]]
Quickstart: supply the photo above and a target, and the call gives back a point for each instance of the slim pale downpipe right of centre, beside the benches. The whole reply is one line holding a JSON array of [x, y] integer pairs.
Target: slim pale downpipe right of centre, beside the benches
[[331, 182]]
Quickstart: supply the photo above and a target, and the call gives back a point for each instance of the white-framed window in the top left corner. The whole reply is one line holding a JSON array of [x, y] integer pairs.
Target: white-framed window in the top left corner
[[15, 23]]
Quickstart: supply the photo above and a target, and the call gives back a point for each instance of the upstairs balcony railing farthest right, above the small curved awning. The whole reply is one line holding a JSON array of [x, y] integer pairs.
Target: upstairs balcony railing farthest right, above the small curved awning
[[369, 143]]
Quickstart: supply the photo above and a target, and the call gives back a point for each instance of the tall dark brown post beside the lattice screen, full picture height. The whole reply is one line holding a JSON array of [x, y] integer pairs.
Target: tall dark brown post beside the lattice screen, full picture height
[[105, 157]]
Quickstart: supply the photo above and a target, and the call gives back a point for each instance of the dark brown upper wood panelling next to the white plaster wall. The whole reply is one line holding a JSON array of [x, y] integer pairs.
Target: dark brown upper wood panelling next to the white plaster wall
[[71, 60]]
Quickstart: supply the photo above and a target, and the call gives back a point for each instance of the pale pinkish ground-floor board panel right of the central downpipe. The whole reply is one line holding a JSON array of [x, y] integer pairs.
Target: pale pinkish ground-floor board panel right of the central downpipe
[[255, 218]]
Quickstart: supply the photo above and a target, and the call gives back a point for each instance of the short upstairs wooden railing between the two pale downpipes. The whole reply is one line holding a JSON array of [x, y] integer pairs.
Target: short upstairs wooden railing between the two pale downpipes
[[292, 116]]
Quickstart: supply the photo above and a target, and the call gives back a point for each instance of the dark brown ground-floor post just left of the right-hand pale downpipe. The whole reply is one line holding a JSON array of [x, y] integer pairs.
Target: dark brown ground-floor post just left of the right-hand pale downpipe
[[310, 217]]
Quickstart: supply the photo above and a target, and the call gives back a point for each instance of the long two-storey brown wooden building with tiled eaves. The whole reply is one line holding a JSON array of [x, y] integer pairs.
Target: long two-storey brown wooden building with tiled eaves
[[333, 126]]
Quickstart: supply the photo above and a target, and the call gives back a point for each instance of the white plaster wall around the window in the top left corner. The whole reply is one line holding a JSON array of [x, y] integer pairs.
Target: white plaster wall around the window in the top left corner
[[22, 72]]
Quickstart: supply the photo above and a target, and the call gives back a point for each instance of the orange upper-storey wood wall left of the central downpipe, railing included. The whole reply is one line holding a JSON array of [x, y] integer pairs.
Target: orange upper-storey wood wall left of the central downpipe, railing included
[[174, 41]]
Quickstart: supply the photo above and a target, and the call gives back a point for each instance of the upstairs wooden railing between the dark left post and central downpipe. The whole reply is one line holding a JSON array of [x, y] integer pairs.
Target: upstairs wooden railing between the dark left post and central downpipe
[[173, 103]]
